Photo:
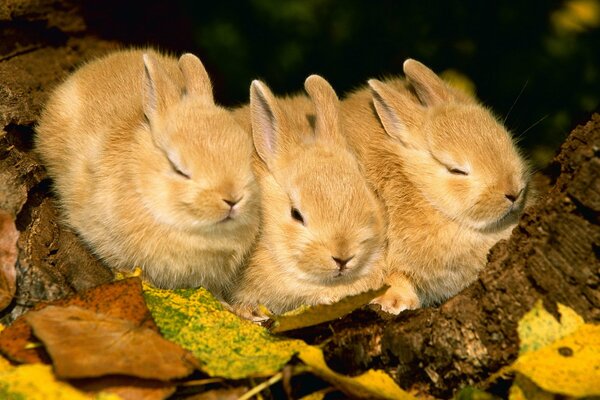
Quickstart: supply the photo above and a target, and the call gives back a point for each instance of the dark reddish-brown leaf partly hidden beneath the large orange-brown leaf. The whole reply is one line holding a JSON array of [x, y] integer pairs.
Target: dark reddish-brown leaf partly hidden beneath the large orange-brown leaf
[[121, 299]]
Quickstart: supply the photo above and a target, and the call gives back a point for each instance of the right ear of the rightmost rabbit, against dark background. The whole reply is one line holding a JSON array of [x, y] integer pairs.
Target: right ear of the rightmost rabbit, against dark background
[[430, 88]]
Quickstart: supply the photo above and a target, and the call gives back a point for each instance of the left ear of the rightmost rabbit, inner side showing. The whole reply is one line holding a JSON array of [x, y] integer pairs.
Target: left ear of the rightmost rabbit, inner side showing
[[399, 114]]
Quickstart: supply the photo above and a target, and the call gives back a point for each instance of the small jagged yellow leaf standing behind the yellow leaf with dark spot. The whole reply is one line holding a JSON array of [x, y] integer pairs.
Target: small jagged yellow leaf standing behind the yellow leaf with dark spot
[[539, 328]]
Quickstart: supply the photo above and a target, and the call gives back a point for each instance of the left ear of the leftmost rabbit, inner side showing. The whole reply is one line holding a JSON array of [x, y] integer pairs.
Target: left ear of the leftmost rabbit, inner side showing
[[159, 92]]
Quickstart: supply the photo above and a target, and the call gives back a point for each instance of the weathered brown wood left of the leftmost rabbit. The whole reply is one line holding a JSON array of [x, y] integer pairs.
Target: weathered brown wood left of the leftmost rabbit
[[43, 40]]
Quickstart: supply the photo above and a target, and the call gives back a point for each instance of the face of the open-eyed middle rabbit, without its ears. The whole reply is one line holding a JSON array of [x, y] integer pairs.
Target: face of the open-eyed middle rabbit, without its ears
[[328, 227]]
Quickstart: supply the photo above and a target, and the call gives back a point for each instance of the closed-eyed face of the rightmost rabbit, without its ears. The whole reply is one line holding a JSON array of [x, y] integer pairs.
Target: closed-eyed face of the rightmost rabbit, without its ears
[[471, 171]]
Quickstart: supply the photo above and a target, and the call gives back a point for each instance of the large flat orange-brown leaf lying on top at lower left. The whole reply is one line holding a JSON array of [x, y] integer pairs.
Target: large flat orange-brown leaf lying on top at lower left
[[85, 344]]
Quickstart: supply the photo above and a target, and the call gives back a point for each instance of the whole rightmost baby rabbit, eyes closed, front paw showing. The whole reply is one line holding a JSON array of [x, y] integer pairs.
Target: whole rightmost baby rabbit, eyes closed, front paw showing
[[450, 177]]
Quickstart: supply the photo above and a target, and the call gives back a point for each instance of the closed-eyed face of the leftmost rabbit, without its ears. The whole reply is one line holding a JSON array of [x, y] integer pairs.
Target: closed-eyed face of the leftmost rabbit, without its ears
[[206, 166]]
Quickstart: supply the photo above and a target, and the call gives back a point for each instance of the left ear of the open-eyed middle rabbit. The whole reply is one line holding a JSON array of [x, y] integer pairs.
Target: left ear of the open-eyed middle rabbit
[[266, 121]]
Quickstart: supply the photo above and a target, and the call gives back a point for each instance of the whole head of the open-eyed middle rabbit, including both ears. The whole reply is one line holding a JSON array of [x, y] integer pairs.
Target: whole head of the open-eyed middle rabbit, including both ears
[[321, 221]]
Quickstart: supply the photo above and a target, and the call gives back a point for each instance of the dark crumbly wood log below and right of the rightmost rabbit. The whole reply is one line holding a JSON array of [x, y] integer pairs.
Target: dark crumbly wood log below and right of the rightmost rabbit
[[552, 255]]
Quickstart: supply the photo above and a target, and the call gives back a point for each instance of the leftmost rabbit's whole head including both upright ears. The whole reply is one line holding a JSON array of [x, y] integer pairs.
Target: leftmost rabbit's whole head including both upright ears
[[199, 177]]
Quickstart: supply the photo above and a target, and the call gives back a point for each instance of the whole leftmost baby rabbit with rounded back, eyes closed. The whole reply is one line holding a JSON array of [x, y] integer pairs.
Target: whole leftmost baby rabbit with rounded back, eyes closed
[[149, 171]]
